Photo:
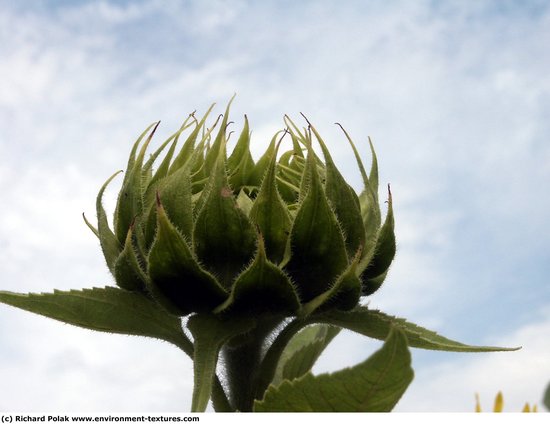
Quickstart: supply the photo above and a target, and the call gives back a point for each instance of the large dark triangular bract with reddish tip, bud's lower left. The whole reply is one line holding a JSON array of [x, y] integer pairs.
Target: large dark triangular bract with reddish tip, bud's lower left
[[176, 278]]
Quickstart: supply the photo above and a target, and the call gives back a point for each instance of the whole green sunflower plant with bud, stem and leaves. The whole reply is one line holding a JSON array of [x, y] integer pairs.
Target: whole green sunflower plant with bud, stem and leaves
[[267, 259]]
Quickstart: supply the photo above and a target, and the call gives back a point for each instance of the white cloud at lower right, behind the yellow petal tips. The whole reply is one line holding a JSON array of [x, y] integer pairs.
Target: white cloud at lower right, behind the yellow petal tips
[[522, 376]]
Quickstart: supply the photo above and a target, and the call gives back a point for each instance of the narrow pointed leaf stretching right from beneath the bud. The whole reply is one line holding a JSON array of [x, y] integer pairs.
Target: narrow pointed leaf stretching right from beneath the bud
[[376, 324]]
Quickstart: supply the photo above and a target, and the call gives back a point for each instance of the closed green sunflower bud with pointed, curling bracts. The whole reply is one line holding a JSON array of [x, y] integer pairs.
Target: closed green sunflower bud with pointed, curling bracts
[[210, 232]]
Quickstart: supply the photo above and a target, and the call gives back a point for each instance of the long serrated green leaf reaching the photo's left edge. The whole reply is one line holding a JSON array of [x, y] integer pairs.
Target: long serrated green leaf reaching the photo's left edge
[[106, 309]]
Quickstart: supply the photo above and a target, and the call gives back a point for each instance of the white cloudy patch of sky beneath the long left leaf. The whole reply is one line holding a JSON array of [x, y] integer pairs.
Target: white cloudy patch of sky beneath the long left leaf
[[54, 367]]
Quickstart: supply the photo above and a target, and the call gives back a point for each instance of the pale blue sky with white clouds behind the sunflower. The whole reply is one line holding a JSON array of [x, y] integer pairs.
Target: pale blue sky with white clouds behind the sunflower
[[455, 96]]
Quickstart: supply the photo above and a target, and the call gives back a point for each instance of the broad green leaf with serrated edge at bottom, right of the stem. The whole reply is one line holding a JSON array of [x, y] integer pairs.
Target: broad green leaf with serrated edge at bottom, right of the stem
[[375, 385]]
